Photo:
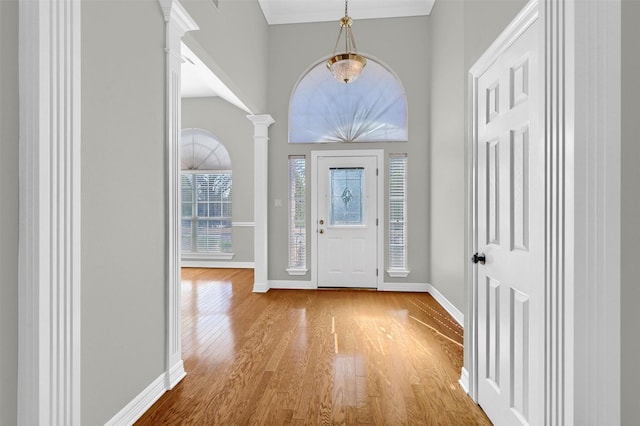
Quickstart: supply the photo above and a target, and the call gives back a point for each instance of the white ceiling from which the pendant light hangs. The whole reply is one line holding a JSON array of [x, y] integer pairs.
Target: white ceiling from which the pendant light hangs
[[301, 11]]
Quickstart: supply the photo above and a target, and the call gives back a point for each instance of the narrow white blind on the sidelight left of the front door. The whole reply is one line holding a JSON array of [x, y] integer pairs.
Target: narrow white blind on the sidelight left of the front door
[[297, 213]]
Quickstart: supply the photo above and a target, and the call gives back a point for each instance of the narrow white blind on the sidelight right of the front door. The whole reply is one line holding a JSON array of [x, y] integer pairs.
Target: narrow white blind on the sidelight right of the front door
[[398, 211]]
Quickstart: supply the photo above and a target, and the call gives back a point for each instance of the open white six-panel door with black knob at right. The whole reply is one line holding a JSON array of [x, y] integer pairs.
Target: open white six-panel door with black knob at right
[[510, 234]]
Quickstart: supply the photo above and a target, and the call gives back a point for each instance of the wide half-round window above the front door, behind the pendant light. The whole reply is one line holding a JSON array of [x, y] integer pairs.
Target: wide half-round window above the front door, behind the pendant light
[[371, 109]]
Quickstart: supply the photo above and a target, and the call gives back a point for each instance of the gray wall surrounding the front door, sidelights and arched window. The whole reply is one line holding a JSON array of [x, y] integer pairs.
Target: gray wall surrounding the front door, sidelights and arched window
[[292, 50]]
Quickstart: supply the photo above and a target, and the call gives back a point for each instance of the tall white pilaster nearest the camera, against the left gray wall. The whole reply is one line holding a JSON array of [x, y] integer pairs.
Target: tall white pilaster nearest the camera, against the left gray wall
[[178, 23]]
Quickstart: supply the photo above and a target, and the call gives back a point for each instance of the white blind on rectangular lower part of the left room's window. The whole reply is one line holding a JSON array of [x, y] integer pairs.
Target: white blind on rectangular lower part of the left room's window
[[206, 212]]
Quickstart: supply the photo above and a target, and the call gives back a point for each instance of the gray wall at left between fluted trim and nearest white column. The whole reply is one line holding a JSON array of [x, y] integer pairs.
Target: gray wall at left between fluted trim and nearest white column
[[123, 203]]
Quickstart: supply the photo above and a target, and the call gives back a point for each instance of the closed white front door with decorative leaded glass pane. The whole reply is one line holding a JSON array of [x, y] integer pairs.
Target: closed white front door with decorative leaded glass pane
[[346, 218]]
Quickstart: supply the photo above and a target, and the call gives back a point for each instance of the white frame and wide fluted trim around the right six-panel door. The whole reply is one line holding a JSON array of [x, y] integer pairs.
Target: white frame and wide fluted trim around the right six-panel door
[[580, 119]]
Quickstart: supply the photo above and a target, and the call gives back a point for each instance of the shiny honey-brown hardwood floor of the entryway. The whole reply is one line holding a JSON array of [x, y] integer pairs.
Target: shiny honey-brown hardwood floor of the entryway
[[303, 357]]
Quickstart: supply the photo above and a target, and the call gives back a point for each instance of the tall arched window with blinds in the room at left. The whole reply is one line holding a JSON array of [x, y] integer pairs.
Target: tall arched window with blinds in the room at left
[[206, 194]]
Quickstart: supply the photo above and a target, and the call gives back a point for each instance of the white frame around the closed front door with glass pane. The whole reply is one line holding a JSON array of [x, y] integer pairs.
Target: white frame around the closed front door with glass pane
[[379, 154]]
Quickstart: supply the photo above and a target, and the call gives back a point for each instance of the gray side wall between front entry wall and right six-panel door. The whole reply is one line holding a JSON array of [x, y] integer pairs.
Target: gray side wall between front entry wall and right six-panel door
[[460, 33]]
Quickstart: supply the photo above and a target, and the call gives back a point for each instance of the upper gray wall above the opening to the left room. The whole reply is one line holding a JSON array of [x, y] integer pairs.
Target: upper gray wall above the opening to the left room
[[234, 38]]
